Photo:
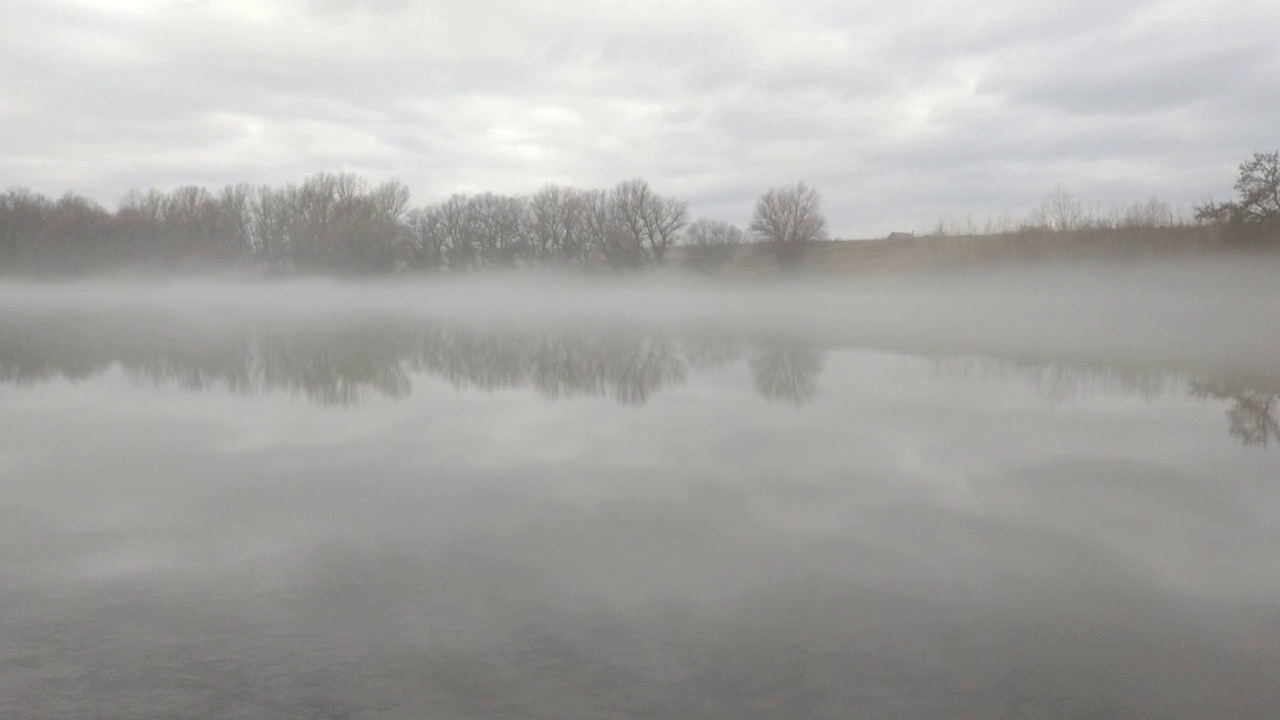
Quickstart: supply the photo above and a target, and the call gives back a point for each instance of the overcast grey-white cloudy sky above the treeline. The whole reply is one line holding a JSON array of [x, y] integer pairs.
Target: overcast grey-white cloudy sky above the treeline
[[902, 113]]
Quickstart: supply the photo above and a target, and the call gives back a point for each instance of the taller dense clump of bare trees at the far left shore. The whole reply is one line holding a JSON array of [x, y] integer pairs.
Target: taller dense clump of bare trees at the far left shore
[[332, 222]]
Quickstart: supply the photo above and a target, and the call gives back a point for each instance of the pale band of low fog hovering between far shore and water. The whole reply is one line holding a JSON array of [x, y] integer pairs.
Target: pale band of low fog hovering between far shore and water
[[1218, 311]]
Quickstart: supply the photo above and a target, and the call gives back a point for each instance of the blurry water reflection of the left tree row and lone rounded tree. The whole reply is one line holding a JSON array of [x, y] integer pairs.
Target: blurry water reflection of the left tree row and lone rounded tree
[[346, 362]]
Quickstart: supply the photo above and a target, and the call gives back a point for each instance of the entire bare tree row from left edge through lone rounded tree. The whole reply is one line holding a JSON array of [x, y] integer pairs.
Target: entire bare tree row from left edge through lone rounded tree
[[341, 222]]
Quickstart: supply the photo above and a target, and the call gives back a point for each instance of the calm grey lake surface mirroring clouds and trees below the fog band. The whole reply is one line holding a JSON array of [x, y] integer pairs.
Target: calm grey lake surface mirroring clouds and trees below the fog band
[[390, 516]]
